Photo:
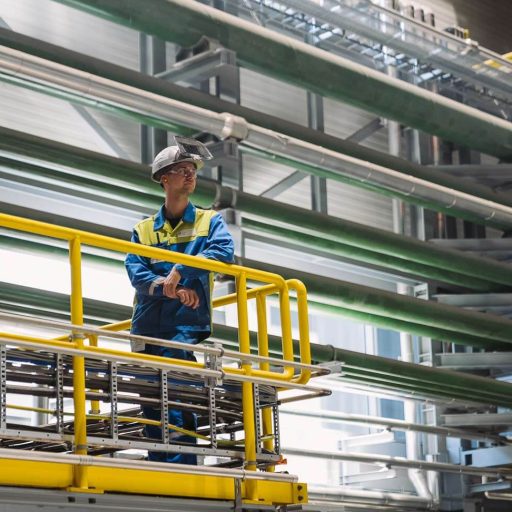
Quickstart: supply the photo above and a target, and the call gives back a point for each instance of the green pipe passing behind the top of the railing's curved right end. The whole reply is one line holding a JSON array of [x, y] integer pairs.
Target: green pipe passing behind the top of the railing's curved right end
[[401, 308]]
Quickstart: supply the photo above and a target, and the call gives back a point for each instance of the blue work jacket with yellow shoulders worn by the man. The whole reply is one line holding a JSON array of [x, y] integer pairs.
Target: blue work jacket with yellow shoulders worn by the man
[[199, 233]]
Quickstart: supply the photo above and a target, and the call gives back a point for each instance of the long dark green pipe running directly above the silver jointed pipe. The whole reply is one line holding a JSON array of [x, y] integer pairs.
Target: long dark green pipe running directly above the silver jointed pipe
[[188, 95]]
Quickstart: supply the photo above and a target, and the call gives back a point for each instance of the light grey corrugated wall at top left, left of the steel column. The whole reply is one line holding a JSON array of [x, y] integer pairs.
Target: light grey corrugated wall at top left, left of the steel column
[[52, 118]]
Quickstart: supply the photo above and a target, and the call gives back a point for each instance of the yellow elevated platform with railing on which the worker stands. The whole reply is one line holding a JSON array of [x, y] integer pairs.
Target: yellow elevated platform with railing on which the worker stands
[[81, 447]]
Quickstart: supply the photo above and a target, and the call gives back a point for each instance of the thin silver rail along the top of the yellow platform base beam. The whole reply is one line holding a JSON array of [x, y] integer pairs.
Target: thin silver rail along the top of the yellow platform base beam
[[87, 460]]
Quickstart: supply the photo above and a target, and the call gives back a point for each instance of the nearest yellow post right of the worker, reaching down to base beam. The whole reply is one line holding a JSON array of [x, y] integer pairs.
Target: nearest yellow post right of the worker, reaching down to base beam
[[247, 387]]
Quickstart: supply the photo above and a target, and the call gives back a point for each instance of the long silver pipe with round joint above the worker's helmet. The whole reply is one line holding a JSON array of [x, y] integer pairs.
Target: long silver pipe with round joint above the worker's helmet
[[62, 81]]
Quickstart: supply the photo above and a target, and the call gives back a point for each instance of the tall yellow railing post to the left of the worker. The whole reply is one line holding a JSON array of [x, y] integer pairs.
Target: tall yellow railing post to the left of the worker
[[77, 318]]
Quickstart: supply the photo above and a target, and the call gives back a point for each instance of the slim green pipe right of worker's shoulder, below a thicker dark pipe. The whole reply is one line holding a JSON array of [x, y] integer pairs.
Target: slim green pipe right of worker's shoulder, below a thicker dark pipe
[[358, 255]]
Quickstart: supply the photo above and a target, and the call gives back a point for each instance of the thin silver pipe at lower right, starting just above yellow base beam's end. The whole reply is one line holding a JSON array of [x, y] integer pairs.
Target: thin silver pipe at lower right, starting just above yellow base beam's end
[[370, 458]]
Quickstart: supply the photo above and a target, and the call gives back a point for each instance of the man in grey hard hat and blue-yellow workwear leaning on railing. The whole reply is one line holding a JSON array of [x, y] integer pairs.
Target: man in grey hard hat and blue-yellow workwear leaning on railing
[[173, 301]]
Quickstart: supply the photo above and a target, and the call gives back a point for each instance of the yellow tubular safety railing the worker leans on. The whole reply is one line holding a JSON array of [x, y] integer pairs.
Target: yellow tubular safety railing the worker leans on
[[273, 283]]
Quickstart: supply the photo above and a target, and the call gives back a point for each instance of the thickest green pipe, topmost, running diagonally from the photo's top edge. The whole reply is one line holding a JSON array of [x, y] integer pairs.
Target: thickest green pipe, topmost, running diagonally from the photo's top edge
[[184, 22]]
